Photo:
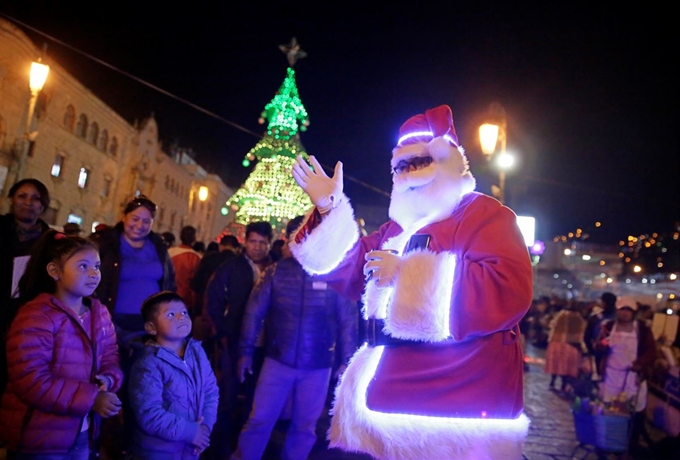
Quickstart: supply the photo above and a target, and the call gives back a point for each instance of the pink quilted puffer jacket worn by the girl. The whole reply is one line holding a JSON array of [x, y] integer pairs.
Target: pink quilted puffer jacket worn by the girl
[[52, 369]]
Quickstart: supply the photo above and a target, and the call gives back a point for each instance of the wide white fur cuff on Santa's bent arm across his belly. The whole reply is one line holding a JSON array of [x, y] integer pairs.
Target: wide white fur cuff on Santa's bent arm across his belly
[[422, 297]]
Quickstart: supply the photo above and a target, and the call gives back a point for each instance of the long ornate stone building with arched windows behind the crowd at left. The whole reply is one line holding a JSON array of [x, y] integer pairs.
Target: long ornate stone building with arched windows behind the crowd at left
[[90, 158]]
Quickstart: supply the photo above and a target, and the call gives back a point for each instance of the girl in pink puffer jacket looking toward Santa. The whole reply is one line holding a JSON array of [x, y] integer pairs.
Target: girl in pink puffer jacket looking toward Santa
[[62, 355]]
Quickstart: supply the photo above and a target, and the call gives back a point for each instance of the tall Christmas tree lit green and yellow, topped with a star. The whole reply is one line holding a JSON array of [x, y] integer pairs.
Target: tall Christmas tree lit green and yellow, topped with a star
[[270, 193]]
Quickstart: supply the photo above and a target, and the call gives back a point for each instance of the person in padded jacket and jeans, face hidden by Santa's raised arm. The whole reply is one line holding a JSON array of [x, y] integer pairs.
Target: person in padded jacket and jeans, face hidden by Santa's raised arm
[[303, 321]]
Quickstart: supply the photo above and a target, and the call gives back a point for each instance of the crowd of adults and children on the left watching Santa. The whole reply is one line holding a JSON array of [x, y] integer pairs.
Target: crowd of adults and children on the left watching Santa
[[124, 344]]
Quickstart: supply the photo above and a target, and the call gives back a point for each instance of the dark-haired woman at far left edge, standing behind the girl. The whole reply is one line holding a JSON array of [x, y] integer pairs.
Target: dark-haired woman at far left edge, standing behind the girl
[[20, 228]]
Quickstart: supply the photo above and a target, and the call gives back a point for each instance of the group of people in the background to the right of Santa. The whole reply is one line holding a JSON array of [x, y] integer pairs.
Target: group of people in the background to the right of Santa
[[593, 339]]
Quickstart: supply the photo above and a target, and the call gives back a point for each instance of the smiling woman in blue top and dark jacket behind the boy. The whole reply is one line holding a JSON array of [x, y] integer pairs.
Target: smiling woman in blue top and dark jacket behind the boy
[[134, 264]]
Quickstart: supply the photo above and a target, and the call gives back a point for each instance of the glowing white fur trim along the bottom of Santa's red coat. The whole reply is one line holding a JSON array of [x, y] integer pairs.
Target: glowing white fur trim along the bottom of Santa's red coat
[[356, 428]]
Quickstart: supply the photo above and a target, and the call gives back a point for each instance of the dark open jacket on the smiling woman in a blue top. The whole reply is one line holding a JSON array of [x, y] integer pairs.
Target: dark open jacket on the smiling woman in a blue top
[[108, 241]]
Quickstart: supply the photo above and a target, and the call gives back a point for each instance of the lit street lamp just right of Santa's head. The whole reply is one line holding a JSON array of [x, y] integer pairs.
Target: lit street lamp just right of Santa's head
[[492, 137]]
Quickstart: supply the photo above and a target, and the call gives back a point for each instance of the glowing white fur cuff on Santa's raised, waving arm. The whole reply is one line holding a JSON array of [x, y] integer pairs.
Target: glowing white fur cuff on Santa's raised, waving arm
[[325, 246]]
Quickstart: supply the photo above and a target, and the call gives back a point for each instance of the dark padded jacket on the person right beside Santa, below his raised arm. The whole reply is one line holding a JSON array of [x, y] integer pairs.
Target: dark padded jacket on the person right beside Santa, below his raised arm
[[305, 319]]
